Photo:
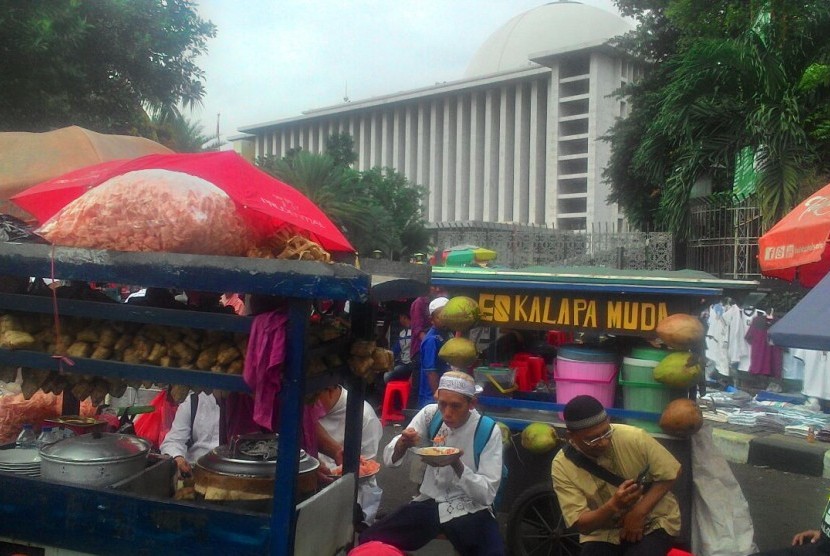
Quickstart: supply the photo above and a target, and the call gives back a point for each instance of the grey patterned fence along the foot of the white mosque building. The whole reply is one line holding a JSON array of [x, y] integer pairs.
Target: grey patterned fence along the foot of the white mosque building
[[518, 245]]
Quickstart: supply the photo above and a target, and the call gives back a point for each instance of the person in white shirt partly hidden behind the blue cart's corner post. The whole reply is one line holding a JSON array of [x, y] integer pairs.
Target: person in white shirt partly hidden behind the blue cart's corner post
[[333, 422]]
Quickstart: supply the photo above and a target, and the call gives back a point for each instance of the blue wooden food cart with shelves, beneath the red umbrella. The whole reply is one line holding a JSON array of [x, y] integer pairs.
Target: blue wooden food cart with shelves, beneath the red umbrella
[[61, 518]]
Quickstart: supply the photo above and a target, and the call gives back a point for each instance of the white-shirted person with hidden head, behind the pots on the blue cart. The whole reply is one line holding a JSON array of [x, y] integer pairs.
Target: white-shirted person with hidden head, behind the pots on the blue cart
[[192, 436]]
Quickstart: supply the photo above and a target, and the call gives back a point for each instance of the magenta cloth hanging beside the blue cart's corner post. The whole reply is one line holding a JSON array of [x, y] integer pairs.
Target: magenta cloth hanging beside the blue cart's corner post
[[264, 364]]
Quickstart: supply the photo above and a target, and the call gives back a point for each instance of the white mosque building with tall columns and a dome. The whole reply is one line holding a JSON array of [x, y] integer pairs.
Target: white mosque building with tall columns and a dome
[[517, 139]]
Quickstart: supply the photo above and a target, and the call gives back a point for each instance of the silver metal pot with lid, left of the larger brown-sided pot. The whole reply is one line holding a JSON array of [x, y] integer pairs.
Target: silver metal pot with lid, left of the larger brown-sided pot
[[96, 459]]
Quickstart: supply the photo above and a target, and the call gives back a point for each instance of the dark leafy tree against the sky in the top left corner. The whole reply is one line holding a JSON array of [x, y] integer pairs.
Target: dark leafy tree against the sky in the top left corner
[[98, 64]]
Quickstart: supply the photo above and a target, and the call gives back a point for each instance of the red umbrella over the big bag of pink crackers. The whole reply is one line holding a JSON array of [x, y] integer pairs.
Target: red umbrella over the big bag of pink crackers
[[266, 203]]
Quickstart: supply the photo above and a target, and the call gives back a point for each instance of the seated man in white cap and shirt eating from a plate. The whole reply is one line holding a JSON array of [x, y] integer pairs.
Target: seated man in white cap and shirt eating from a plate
[[455, 498]]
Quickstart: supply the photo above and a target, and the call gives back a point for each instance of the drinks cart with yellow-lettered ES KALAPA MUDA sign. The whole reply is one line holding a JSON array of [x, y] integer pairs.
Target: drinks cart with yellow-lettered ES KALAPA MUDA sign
[[586, 300]]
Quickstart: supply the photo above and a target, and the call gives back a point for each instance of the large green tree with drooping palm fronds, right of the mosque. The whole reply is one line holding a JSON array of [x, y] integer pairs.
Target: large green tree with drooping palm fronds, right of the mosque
[[729, 76]]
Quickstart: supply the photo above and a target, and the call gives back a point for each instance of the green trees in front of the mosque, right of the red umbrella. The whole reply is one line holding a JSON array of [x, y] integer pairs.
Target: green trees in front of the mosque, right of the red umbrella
[[376, 209]]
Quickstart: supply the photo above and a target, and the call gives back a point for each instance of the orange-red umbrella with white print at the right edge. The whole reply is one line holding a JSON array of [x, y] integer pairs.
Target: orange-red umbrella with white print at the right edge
[[796, 247]]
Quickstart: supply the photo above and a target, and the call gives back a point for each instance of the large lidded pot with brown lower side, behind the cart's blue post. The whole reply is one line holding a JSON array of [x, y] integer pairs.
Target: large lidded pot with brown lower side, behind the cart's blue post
[[242, 474]]
